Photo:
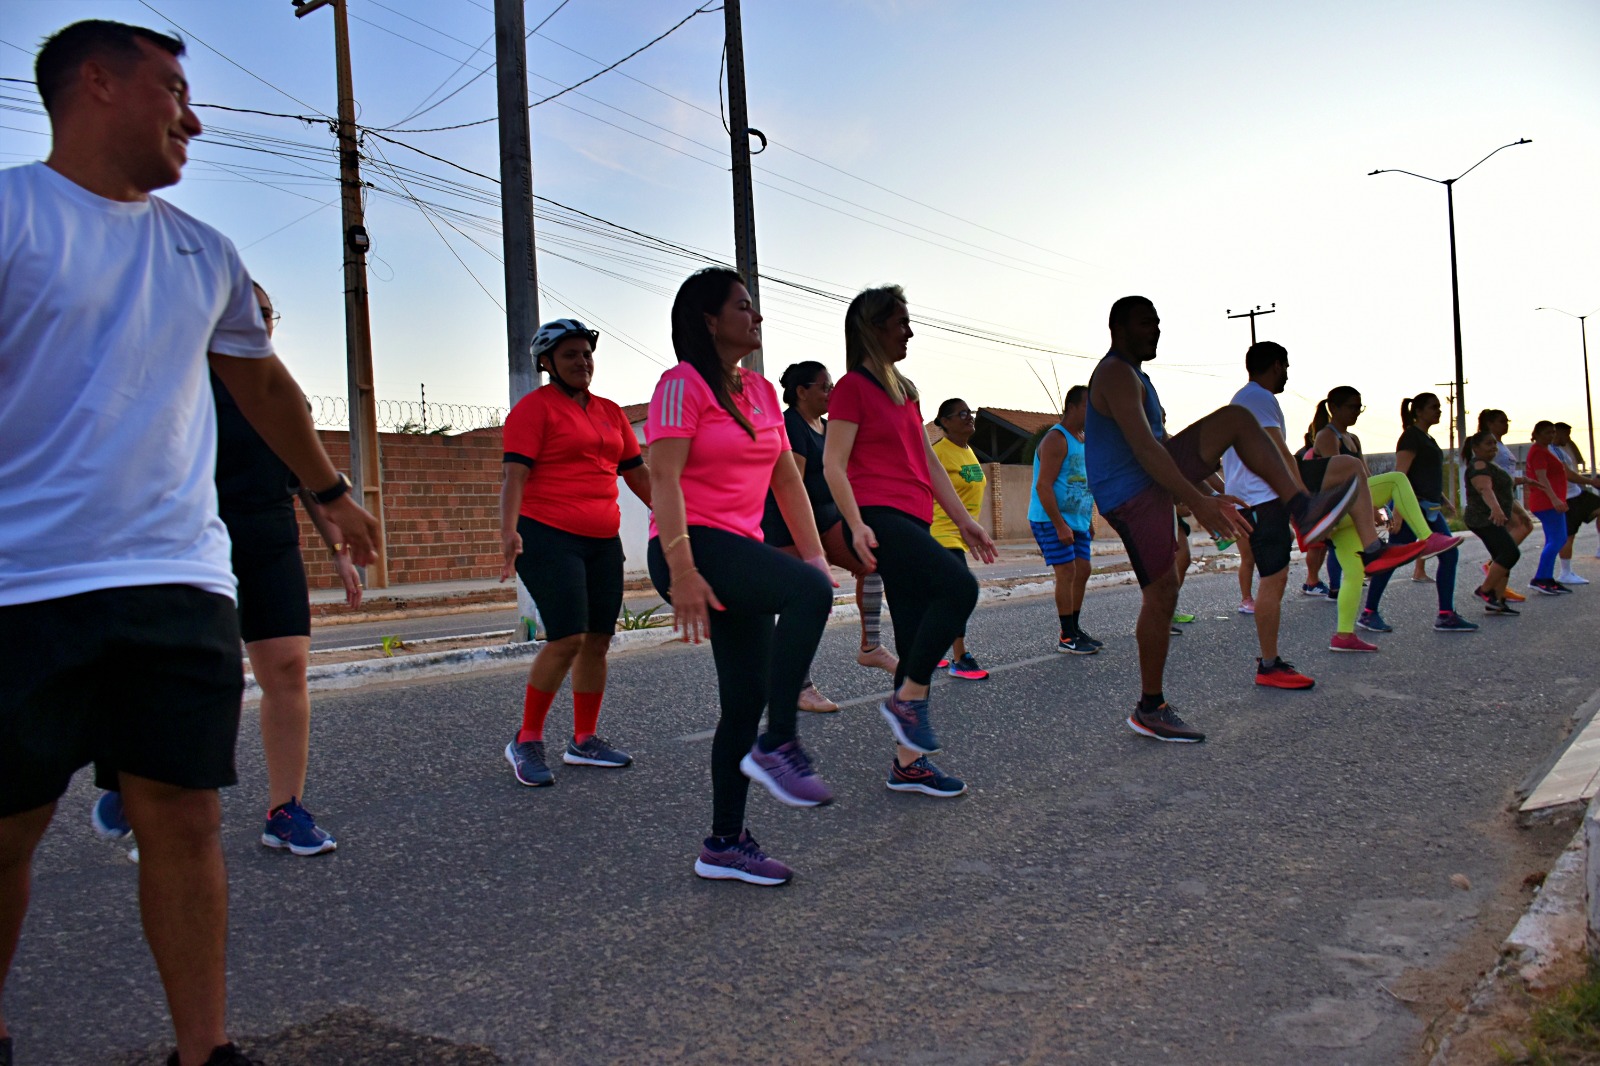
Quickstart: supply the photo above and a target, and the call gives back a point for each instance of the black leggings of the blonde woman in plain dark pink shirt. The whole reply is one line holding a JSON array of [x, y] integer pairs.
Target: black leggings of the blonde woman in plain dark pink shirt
[[929, 590]]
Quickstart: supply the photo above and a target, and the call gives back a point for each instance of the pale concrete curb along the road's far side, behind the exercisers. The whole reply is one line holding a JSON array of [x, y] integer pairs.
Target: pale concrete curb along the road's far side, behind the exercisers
[[337, 676]]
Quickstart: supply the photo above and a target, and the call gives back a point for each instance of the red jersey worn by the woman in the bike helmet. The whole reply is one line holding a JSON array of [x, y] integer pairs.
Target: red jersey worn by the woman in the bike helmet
[[575, 455]]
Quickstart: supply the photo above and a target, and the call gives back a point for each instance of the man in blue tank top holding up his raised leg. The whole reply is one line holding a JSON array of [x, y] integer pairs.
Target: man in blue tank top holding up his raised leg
[[1138, 471]]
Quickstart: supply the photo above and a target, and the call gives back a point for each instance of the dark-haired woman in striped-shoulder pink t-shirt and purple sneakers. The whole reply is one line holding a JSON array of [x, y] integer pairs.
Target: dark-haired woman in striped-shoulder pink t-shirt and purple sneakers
[[718, 444]]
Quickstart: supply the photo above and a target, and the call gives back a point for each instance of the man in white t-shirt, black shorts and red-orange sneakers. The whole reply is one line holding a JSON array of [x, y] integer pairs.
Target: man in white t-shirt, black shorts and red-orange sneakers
[[1271, 539]]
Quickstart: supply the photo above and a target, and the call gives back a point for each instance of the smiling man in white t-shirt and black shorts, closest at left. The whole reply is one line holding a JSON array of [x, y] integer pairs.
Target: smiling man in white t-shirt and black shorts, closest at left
[[116, 591]]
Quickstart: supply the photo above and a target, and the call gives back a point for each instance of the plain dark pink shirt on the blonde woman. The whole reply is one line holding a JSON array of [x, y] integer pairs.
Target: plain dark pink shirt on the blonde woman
[[889, 463]]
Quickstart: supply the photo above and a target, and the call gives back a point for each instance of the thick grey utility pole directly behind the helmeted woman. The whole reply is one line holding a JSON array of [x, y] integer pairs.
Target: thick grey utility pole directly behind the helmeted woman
[[522, 283]]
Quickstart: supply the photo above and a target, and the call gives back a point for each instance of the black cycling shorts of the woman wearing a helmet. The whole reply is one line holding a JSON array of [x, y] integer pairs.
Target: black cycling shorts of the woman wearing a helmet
[[575, 582]]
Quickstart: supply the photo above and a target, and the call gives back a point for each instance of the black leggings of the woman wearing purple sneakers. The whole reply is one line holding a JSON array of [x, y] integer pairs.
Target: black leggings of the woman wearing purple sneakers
[[761, 662]]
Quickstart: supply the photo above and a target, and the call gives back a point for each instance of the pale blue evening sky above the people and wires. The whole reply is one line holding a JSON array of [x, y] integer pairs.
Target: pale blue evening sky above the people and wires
[[1014, 167]]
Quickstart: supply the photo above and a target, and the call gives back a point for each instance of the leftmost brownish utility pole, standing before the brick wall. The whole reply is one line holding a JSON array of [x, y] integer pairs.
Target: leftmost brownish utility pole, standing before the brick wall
[[366, 468]]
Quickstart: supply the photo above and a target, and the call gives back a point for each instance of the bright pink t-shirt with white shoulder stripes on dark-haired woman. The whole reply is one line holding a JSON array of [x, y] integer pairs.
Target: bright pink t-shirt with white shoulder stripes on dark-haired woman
[[727, 475]]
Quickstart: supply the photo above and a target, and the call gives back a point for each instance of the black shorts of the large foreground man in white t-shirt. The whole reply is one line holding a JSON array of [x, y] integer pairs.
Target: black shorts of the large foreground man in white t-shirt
[[142, 679]]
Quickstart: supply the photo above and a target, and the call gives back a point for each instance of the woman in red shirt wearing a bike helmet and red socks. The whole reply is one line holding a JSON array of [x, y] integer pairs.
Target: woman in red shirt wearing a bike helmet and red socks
[[566, 449]]
